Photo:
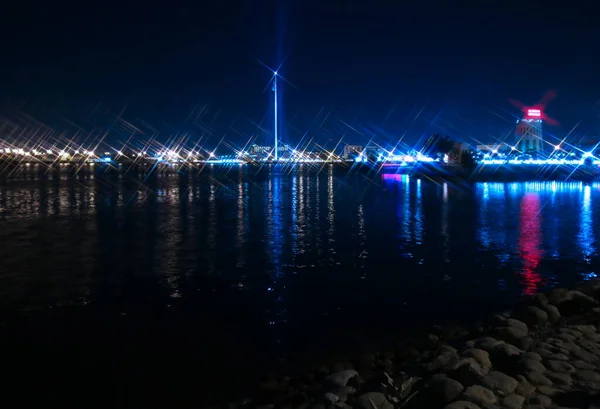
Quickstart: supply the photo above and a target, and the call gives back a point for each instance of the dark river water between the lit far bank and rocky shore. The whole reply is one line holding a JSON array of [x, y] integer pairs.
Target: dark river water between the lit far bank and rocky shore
[[198, 283]]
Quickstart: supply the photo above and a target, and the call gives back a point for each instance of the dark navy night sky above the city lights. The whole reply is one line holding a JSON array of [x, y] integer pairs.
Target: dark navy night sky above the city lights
[[374, 65]]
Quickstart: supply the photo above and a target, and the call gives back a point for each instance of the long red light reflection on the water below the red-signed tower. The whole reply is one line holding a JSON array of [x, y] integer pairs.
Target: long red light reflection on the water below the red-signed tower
[[530, 241]]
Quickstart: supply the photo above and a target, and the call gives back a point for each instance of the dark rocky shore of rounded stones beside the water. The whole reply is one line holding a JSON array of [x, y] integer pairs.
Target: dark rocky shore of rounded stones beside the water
[[544, 354]]
